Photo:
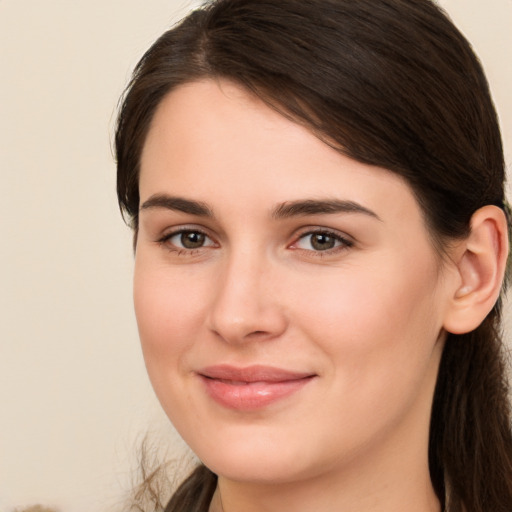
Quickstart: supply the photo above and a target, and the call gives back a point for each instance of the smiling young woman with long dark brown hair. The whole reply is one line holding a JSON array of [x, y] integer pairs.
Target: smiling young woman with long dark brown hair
[[316, 193]]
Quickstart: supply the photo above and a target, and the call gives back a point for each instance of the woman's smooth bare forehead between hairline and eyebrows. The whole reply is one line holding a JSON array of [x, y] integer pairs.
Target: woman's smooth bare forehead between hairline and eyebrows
[[221, 144]]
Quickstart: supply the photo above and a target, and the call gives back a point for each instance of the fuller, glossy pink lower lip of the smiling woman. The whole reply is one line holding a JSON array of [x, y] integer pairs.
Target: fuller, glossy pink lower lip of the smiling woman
[[252, 395]]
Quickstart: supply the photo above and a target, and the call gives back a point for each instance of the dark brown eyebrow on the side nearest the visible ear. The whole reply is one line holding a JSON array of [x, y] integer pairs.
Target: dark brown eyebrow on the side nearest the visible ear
[[306, 207]]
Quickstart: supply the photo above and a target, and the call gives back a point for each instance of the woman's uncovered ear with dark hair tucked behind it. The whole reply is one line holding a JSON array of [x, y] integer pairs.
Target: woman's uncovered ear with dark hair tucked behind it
[[480, 266]]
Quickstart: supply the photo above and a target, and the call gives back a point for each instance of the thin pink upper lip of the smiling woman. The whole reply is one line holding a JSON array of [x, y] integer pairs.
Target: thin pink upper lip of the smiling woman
[[254, 373]]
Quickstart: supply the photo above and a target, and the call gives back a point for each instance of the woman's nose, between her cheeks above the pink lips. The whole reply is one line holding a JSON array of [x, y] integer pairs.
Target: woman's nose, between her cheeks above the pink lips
[[245, 304]]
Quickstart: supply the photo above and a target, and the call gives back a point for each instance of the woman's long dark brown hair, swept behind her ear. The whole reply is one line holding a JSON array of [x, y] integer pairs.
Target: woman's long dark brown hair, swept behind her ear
[[387, 82]]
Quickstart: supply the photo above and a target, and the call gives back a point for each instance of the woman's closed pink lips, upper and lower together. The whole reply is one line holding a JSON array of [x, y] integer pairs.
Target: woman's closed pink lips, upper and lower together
[[252, 387]]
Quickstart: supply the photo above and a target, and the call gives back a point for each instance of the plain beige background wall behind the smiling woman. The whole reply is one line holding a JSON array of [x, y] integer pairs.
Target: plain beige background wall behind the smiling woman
[[74, 397]]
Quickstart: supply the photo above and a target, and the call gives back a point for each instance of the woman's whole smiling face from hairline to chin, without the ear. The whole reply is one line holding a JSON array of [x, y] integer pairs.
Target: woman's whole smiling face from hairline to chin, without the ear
[[289, 301]]
